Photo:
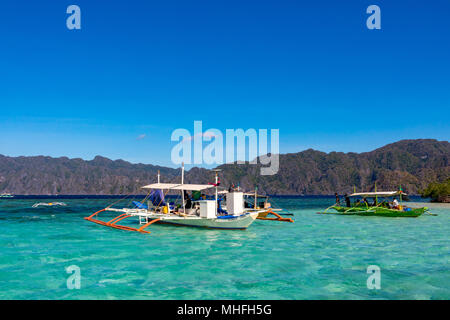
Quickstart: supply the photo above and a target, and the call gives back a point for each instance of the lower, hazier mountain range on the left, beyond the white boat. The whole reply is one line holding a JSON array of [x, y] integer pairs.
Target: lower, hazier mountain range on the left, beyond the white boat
[[46, 175]]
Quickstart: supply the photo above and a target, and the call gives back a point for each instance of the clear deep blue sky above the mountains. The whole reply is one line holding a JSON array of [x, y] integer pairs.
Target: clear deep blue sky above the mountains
[[312, 70]]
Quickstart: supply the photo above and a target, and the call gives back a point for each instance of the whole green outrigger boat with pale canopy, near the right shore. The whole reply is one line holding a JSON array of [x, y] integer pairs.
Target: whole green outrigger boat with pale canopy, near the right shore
[[382, 209]]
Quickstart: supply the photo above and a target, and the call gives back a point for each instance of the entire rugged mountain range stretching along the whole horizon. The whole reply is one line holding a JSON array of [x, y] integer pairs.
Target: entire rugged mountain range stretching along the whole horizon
[[410, 163]]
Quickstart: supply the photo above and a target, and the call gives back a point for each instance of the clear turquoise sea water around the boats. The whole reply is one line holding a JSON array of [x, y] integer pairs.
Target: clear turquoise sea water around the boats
[[317, 257]]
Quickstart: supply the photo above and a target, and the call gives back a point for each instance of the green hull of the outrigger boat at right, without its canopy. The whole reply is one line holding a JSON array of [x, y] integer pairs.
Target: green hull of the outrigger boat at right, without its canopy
[[377, 211]]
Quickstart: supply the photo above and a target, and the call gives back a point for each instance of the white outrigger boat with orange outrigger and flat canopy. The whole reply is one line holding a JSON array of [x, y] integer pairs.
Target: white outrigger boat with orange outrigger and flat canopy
[[192, 213]]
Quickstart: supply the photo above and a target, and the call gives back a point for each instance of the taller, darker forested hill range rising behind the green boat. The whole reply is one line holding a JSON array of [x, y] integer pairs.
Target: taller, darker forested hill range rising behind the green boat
[[409, 163]]
